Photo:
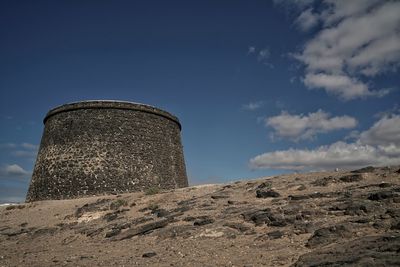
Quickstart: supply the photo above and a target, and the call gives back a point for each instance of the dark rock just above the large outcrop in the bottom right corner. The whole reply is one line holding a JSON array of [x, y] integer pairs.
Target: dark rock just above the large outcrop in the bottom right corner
[[330, 234]]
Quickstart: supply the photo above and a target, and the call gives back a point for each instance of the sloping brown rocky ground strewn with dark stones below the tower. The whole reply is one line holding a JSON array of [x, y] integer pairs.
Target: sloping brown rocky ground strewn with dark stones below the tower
[[314, 219]]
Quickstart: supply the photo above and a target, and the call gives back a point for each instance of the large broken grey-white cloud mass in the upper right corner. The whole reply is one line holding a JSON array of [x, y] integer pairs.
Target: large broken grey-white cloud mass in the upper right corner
[[357, 40]]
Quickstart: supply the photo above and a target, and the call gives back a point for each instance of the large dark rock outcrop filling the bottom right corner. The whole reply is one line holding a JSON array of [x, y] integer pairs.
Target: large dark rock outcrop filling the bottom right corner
[[371, 251]]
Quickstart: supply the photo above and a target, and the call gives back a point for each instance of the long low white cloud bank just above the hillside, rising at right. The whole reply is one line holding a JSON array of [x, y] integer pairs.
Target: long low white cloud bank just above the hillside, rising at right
[[379, 145]]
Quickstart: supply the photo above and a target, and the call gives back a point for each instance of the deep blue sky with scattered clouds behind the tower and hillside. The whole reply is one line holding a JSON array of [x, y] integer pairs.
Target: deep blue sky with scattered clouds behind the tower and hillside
[[260, 87]]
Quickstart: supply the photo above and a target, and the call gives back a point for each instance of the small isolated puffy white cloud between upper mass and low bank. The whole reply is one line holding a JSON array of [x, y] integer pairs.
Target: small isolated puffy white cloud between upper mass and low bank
[[302, 127]]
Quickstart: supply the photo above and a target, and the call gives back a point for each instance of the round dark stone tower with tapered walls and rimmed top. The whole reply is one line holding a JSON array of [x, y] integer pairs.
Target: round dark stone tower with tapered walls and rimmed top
[[97, 147]]
